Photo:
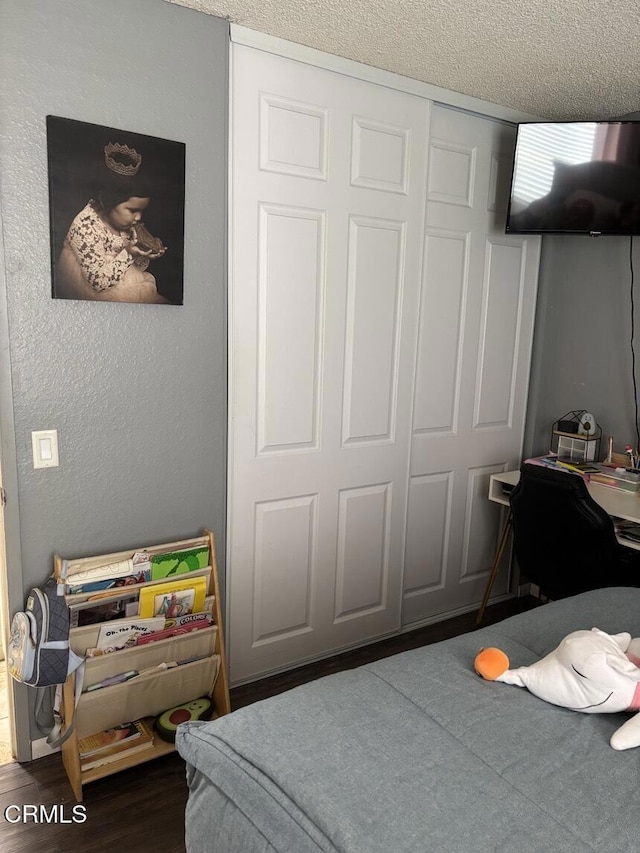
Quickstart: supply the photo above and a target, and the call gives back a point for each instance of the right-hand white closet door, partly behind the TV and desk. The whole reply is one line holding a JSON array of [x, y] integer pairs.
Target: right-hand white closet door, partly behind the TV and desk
[[476, 327]]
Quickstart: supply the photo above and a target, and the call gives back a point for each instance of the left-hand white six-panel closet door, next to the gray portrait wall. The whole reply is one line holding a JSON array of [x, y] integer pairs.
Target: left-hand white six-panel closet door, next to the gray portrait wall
[[327, 195]]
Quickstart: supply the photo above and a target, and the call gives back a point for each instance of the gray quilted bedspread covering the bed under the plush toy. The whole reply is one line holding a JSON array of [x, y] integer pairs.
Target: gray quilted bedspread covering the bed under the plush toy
[[417, 753]]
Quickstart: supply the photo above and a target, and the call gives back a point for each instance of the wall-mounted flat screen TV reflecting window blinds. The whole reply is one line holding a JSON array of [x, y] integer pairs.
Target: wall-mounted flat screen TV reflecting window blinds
[[576, 178]]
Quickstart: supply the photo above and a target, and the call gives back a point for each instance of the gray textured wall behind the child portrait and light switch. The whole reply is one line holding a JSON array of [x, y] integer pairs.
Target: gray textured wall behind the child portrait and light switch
[[136, 392]]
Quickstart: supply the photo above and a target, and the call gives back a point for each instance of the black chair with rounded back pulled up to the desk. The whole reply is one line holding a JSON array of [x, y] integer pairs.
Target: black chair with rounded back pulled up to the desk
[[564, 541]]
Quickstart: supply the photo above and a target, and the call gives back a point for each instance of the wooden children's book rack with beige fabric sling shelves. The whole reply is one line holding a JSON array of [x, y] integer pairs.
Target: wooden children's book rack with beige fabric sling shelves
[[201, 671]]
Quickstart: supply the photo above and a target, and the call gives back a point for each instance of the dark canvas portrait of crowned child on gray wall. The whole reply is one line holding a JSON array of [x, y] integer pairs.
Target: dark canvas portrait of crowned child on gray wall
[[116, 209]]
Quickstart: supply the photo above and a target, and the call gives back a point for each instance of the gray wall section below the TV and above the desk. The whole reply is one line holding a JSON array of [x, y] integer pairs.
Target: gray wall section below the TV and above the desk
[[582, 353]]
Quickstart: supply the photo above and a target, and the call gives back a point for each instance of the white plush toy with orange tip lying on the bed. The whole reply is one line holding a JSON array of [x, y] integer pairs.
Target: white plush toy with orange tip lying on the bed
[[590, 671]]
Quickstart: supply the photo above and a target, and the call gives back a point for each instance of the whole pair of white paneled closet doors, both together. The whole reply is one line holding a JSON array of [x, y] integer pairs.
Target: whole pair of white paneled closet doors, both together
[[373, 325]]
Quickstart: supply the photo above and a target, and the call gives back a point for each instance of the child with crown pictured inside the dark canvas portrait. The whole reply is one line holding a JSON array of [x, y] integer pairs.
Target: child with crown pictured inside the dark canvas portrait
[[107, 250]]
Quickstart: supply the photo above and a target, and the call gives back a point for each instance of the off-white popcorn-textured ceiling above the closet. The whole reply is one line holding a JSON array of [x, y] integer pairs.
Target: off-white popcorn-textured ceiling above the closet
[[561, 59]]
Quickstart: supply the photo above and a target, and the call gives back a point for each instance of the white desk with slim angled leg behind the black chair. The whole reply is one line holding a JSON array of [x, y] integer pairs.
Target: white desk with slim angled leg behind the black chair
[[616, 502]]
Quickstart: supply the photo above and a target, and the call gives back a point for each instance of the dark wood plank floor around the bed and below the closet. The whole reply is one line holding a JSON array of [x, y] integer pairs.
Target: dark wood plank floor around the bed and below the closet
[[142, 809]]
